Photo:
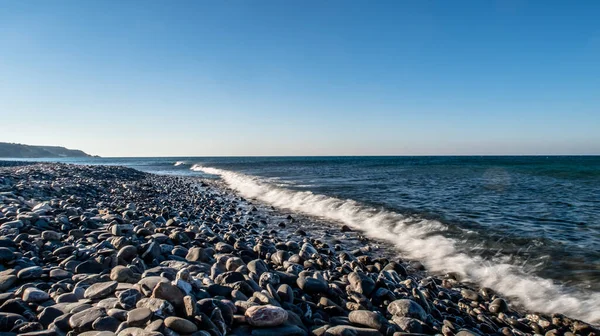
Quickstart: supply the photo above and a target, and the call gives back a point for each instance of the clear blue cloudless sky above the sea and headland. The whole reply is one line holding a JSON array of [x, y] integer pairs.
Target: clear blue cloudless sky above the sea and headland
[[220, 78]]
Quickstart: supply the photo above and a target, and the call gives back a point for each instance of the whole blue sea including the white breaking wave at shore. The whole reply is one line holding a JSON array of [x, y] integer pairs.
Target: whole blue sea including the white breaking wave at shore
[[528, 227]]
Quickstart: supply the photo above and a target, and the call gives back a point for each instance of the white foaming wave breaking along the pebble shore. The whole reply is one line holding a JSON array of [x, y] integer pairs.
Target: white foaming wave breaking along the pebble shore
[[419, 239]]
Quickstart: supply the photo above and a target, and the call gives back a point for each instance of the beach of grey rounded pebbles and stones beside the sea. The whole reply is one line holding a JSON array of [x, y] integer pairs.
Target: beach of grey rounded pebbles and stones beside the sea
[[320, 269]]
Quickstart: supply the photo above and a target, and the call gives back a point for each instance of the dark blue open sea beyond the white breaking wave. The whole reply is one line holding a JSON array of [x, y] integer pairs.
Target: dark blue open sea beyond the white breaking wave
[[541, 214]]
